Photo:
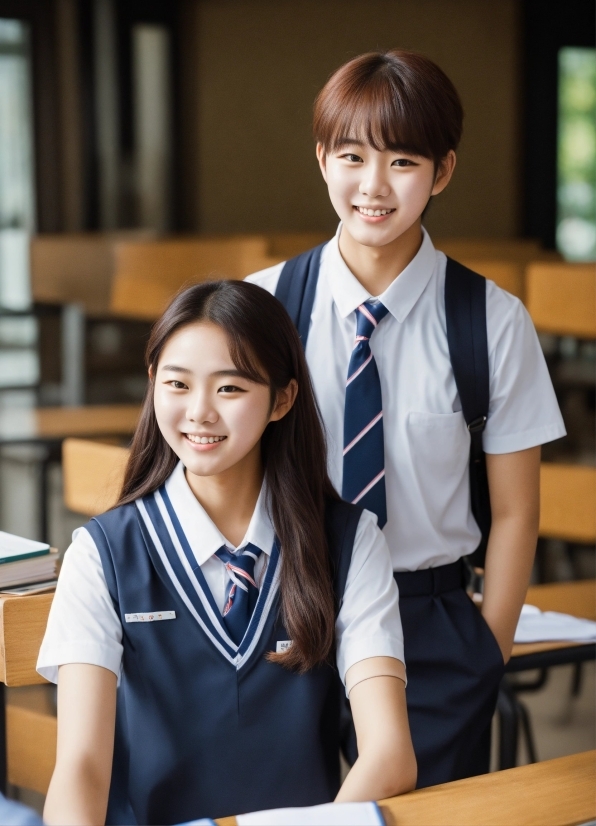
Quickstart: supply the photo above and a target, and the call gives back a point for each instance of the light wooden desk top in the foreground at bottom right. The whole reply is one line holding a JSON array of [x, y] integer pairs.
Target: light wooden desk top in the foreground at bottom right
[[554, 793]]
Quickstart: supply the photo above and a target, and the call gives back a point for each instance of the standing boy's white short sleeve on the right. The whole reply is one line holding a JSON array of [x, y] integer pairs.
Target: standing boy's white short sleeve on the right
[[523, 408]]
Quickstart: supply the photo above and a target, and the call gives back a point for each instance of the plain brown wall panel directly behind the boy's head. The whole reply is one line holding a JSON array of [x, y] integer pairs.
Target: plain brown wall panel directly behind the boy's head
[[260, 65]]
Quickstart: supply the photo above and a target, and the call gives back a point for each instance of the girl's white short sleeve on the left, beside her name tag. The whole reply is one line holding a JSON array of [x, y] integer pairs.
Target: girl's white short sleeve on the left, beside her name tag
[[83, 626]]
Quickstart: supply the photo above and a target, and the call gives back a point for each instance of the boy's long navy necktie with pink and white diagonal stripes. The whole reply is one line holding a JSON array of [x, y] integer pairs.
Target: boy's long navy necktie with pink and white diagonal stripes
[[364, 454]]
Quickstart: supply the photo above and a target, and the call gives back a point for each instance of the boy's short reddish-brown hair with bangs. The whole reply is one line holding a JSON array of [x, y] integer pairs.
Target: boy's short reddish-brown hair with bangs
[[397, 100]]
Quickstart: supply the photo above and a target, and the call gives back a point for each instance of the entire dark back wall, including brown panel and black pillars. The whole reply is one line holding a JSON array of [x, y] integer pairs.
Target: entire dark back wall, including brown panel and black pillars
[[194, 115]]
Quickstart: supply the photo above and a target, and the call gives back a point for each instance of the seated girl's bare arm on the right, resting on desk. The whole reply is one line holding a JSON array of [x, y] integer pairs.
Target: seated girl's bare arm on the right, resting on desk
[[386, 764]]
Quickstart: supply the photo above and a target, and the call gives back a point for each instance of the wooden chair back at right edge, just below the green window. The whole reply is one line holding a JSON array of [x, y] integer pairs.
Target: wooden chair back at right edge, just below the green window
[[561, 298]]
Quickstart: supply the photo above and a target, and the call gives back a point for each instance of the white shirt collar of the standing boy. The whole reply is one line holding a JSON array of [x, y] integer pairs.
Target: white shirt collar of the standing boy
[[399, 297]]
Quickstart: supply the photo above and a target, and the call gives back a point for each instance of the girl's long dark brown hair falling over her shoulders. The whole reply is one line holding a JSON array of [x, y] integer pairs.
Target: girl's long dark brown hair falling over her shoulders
[[265, 346]]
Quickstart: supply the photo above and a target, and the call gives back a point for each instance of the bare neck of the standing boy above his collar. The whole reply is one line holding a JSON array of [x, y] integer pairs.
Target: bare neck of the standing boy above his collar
[[377, 267]]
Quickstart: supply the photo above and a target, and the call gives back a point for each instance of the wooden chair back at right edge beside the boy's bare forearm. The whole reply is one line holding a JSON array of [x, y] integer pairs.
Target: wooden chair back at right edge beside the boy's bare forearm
[[568, 502]]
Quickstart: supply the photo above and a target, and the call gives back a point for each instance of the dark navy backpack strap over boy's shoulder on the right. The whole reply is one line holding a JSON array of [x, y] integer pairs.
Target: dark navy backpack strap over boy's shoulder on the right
[[465, 311]]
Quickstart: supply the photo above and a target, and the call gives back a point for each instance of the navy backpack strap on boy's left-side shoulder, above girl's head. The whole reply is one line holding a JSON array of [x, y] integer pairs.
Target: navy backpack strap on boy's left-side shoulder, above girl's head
[[297, 286]]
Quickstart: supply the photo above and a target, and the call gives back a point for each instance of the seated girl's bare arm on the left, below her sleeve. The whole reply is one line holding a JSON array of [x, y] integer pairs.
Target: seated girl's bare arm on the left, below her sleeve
[[80, 785]]
